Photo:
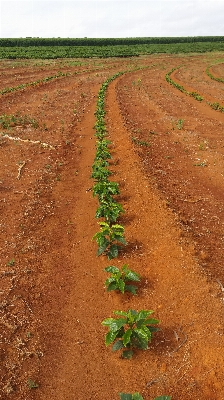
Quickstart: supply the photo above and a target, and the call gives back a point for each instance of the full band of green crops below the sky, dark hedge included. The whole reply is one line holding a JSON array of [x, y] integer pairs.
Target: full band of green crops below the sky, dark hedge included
[[51, 48]]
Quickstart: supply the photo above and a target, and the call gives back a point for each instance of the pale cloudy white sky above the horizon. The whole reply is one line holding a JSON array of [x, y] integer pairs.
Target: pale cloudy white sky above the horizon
[[108, 18]]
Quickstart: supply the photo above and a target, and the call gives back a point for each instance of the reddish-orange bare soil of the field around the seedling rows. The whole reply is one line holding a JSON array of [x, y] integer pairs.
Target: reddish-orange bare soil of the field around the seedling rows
[[168, 158]]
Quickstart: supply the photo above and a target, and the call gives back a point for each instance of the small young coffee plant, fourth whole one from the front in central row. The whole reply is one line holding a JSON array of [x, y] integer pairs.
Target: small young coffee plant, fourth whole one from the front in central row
[[110, 210]]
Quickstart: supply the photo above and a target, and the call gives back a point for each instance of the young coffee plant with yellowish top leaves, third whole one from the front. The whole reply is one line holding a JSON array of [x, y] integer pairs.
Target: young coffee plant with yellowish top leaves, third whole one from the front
[[109, 239]]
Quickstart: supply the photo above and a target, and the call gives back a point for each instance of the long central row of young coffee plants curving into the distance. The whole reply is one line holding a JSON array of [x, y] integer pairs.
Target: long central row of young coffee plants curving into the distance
[[129, 329]]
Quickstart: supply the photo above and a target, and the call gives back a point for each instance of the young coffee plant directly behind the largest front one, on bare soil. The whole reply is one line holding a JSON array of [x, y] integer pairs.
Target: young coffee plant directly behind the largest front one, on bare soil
[[118, 279]]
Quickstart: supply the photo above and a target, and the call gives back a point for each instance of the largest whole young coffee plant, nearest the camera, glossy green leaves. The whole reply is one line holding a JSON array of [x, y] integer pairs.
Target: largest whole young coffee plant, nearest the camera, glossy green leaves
[[131, 330]]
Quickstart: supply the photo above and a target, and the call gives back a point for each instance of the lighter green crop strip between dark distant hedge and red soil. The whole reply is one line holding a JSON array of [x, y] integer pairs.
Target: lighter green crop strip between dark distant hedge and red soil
[[107, 50]]
